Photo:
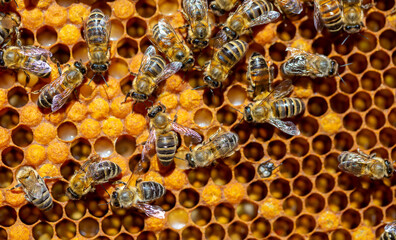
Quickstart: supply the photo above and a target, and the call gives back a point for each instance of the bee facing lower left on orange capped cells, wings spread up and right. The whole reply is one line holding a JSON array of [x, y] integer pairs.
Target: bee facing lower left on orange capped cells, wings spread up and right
[[152, 71]]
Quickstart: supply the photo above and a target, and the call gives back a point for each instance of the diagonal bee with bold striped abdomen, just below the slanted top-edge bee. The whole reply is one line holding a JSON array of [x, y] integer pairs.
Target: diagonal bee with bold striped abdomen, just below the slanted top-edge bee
[[223, 60]]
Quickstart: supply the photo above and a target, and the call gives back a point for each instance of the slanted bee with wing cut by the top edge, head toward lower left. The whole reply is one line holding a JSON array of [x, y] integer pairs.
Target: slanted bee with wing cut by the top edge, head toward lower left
[[250, 13]]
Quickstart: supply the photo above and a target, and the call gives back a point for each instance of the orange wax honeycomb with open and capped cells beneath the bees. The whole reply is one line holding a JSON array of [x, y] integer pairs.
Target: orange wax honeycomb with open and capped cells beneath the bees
[[308, 197]]
